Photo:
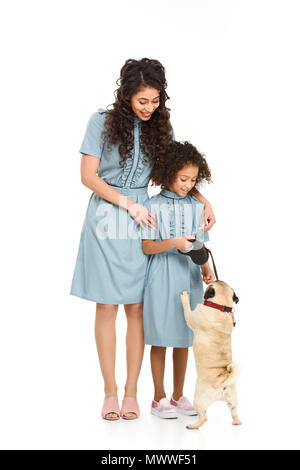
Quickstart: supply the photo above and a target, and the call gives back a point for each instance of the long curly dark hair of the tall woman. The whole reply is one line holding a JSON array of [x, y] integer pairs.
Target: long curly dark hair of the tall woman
[[155, 133]]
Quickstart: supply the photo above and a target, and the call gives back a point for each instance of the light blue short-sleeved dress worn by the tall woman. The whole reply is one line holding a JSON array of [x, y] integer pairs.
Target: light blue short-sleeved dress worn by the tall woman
[[111, 265]]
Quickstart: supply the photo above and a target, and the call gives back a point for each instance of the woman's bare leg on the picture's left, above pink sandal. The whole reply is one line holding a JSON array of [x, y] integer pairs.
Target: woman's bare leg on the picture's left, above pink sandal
[[105, 335]]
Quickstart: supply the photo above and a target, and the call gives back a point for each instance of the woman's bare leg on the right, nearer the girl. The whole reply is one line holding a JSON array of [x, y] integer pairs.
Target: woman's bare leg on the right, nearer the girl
[[134, 347]]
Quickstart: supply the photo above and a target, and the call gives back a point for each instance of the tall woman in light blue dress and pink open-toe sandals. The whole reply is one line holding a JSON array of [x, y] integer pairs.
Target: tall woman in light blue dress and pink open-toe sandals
[[118, 152]]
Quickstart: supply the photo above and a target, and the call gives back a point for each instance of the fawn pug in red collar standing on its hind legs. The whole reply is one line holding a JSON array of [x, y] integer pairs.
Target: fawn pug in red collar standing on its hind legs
[[212, 327]]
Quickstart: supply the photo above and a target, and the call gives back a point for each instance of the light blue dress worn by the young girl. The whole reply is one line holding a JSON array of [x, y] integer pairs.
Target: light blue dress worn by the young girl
[[169, 272]]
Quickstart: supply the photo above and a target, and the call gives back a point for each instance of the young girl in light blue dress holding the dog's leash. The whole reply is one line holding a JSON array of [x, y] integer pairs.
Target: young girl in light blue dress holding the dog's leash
[[179, 217]]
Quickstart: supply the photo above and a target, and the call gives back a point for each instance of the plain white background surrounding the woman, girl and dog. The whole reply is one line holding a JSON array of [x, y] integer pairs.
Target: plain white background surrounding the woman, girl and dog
[[232, 70]]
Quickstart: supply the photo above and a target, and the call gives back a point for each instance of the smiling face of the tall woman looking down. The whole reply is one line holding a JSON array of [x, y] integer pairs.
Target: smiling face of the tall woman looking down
[[145, 102]]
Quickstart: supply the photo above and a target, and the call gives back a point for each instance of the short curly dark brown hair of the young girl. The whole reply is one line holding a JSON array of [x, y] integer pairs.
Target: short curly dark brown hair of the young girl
[[177, 156]]
